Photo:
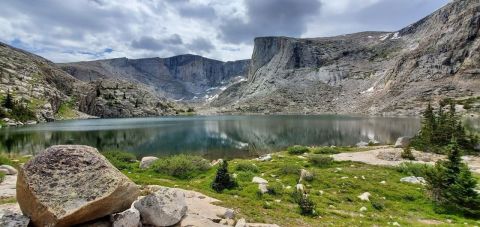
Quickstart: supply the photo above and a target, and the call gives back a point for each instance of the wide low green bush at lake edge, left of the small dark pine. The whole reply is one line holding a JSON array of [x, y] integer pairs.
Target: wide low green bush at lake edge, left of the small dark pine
[[181, 166]]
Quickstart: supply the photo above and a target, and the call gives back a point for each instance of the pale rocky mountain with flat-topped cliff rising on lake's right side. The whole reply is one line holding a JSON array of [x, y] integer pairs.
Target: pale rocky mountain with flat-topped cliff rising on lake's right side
[[368, 72]]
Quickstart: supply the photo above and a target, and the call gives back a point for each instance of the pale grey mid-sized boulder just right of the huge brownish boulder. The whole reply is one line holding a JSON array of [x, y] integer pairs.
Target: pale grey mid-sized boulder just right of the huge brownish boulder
[[164, 207]]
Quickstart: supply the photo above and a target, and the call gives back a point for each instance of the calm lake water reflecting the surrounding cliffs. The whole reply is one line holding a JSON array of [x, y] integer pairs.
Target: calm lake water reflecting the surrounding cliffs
[[209, 136]]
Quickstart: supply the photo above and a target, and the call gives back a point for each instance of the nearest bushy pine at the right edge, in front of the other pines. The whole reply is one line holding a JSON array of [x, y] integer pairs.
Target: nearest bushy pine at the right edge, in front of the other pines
[[452, 185]]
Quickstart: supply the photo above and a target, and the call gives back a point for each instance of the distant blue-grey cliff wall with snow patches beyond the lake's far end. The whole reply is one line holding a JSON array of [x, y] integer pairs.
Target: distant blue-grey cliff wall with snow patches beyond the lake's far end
[[184, 77]]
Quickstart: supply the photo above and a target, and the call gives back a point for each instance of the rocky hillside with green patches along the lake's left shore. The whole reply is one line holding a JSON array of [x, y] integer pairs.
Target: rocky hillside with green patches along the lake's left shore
[[51, 93]]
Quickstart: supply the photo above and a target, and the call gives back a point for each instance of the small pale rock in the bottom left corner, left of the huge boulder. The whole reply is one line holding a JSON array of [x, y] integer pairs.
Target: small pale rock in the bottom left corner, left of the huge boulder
[[11, 216]]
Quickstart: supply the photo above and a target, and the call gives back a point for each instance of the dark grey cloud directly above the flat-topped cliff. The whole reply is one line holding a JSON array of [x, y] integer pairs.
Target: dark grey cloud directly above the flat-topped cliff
[[270, 18]]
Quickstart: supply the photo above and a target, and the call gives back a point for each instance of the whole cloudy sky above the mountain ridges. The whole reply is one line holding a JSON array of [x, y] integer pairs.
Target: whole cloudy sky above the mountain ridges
[[79, 30]]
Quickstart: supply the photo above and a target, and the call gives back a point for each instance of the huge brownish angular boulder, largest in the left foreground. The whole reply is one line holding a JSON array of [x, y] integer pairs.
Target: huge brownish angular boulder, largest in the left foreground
[[72, 184]]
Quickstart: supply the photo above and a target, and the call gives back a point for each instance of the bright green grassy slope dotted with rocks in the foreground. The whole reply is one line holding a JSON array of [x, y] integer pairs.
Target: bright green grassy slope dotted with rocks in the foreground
[[404, 203]]
